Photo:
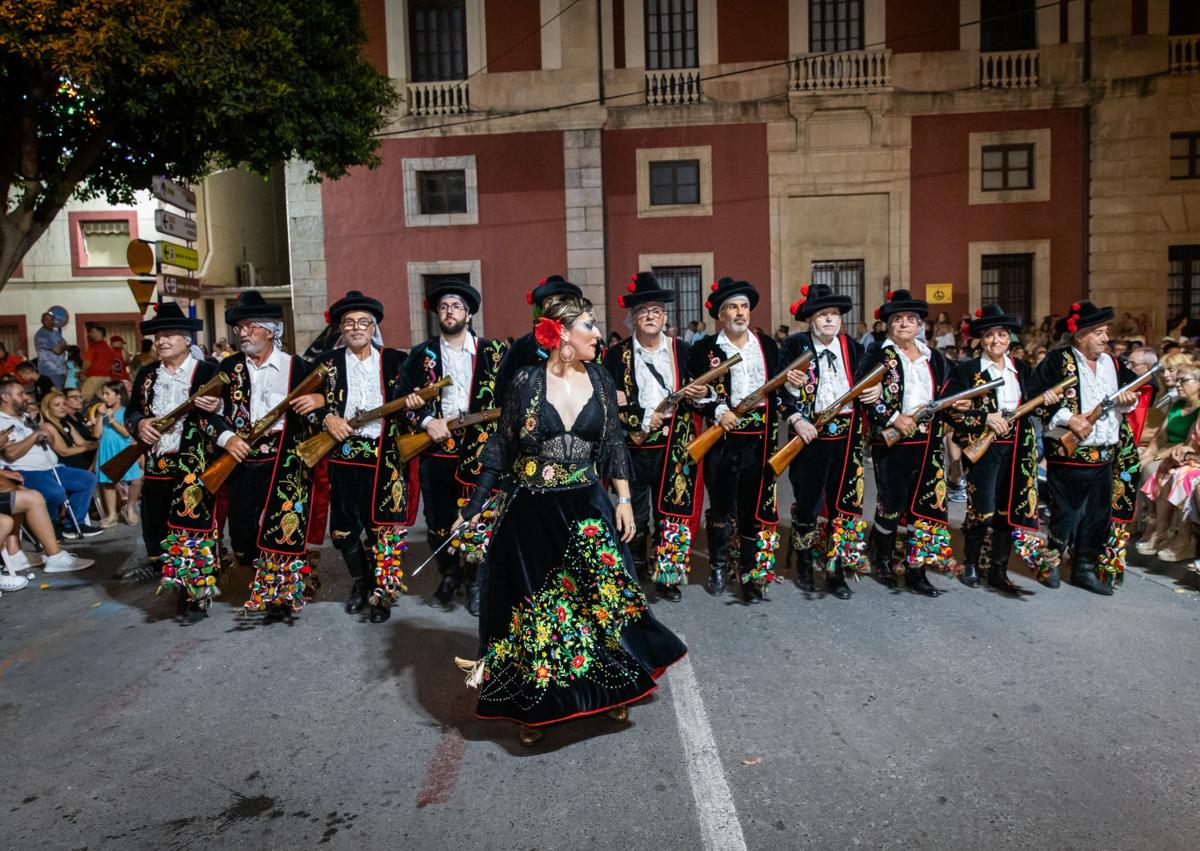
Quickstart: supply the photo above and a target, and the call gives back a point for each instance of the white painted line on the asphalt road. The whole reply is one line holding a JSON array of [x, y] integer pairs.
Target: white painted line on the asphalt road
[[719, 826]]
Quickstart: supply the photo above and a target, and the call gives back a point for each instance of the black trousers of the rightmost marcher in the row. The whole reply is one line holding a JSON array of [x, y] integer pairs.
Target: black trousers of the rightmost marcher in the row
[[1081, 500]]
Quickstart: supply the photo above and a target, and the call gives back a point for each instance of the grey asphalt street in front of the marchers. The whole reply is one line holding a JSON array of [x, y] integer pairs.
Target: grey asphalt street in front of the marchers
[[1061, 721]]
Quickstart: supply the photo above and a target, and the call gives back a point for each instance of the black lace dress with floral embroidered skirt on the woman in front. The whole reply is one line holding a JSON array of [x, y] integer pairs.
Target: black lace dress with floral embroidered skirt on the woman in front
[[565, 627]]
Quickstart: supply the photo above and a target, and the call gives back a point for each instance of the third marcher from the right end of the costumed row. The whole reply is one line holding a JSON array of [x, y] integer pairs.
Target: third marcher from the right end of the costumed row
[[910, 477]]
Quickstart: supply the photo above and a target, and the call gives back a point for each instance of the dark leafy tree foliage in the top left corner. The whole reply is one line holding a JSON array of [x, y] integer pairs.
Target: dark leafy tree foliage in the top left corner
[[98, 97]]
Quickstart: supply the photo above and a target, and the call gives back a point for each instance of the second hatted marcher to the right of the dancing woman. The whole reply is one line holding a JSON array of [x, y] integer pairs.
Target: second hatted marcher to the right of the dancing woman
[[740, 483]]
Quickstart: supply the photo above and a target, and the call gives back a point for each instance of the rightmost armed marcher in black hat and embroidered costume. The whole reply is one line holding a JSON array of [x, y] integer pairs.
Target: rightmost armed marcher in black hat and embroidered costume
[[1091, 492]]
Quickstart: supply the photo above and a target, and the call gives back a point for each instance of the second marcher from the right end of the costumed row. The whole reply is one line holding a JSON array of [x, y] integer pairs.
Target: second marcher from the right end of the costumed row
[[1003, 486]]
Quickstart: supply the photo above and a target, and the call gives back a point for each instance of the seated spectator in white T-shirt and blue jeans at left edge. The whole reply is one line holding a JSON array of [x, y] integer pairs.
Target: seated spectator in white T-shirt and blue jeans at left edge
[[29, 454]]
